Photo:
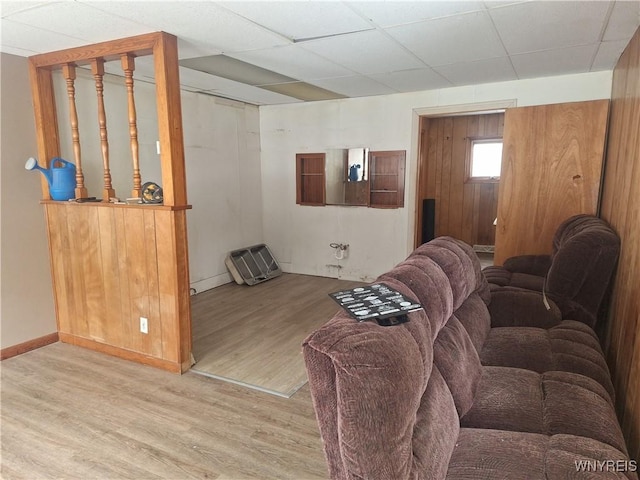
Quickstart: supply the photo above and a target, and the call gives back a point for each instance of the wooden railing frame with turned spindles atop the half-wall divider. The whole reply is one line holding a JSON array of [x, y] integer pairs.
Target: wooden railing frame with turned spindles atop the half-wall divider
[[164, 49]]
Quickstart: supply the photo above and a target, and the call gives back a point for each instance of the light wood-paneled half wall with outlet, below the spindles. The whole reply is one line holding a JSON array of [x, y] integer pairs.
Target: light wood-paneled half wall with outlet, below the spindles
[[112, 265]]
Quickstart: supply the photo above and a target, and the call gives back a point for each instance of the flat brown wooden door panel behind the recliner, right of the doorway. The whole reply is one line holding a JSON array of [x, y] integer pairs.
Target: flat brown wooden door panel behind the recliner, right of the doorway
[[551, 169]]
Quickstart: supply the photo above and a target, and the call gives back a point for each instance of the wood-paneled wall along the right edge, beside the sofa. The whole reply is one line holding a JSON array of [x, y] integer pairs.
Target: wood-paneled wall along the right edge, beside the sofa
[[621, 208]]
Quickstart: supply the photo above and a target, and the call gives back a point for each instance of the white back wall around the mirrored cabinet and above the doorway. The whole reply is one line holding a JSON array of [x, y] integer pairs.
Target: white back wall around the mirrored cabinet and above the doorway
[[299, 236]]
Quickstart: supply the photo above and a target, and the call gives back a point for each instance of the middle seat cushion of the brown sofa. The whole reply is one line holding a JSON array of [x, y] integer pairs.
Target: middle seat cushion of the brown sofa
[[548, 403]]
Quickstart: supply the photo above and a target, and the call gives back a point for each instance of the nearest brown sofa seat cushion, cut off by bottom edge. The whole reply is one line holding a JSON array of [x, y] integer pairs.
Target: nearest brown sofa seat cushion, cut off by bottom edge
[[498, 454]]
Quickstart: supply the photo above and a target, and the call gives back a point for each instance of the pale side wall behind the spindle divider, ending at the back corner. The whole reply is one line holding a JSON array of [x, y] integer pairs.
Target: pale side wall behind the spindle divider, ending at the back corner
[[222, 157]]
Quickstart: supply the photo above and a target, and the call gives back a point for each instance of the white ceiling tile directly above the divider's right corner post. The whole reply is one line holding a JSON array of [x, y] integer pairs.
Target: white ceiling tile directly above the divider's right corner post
[[202, 24]]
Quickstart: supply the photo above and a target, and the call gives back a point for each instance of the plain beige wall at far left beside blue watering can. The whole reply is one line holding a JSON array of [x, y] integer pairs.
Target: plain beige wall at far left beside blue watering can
[[26, 297]]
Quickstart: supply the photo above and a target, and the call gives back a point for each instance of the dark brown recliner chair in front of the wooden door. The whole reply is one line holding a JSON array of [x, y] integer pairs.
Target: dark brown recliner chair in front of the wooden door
[[577, 274]]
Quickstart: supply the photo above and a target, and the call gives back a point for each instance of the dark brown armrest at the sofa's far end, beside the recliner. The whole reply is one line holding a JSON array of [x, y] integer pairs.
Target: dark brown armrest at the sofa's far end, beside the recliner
[[513, 307]]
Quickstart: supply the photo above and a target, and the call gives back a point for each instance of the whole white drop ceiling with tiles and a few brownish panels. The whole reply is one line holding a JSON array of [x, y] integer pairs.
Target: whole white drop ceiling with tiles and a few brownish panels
[[273, 52]]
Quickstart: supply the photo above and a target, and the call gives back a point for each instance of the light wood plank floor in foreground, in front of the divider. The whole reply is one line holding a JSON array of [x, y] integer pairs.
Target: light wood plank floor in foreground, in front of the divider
[[71, 413]]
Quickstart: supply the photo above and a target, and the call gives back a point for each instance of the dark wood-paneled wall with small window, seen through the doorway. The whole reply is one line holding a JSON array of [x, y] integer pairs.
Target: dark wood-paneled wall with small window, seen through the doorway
[[465, 210]]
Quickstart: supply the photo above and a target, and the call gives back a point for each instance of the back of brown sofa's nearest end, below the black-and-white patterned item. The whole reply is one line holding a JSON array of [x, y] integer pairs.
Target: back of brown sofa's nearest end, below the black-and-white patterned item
[[366, 387]]
